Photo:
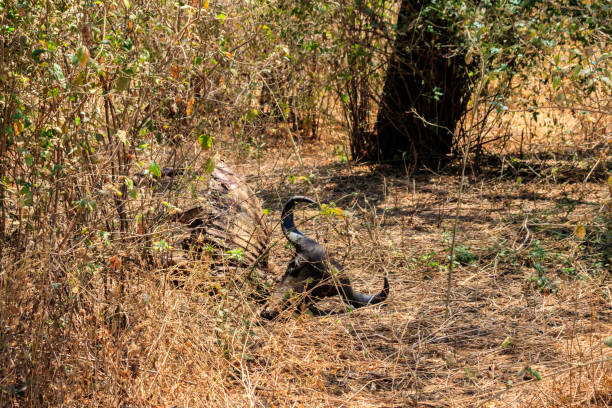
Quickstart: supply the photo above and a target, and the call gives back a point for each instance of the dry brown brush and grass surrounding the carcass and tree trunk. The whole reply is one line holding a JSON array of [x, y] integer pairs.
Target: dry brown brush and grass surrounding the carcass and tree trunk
[[94, 313]]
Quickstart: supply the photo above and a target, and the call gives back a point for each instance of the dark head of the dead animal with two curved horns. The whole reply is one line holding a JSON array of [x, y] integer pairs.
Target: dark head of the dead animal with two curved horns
[[312, 274]]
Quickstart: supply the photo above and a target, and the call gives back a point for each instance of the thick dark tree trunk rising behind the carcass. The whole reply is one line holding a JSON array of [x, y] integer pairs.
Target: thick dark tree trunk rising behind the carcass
[[425, 92]]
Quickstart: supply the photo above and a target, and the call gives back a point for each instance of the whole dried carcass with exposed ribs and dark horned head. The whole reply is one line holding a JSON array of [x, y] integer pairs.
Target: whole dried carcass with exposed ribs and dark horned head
[[230, 218]]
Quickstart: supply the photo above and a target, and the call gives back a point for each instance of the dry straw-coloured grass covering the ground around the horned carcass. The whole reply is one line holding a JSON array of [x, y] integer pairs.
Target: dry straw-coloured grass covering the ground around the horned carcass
[[134, 338]]
